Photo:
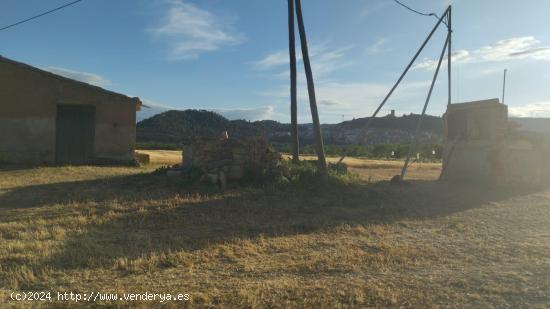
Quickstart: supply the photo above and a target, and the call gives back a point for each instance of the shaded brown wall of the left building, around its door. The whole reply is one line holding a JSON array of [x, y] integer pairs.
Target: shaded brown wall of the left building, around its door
[[28, 107]]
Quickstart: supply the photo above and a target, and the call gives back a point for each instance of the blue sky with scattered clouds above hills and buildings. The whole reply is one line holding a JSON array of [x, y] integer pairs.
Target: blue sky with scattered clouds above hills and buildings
[[231, 56]]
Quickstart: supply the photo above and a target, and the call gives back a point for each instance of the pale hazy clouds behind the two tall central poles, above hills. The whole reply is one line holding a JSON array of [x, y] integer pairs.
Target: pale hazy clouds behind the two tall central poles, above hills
[[334, 97]]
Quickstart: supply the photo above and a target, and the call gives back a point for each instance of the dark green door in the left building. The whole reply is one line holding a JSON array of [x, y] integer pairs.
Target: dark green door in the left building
[[75, 132]]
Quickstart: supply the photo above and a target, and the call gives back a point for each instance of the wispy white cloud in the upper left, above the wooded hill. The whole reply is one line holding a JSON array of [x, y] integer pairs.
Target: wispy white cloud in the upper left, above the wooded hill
[[193, 31]]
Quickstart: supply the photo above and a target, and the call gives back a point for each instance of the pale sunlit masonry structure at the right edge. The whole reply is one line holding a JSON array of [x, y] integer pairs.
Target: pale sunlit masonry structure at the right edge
[[487, 153]]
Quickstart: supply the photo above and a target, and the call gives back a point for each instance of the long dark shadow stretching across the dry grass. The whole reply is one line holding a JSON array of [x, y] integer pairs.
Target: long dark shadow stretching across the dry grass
[[175, 222]]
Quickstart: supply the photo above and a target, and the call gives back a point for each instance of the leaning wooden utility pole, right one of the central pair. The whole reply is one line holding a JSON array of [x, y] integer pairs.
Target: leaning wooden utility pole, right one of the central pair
[[322, 163]]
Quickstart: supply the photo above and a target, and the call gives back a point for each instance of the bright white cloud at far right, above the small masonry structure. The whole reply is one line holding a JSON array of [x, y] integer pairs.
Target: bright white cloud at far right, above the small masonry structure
[[504, 50]]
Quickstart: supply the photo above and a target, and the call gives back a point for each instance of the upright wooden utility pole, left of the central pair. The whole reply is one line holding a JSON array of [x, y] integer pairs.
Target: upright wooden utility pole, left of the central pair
[[293, 85]]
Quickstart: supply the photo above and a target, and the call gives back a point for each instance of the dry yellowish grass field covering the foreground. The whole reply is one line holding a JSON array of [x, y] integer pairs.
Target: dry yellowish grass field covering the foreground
[[422, 245]]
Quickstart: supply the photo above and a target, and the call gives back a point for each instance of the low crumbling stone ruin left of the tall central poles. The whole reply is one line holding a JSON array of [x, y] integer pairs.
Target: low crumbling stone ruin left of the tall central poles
[[227, 159]]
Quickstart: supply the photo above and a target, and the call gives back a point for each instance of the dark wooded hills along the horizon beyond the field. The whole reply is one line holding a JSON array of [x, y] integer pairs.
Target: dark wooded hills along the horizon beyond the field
[[178, 126]]
